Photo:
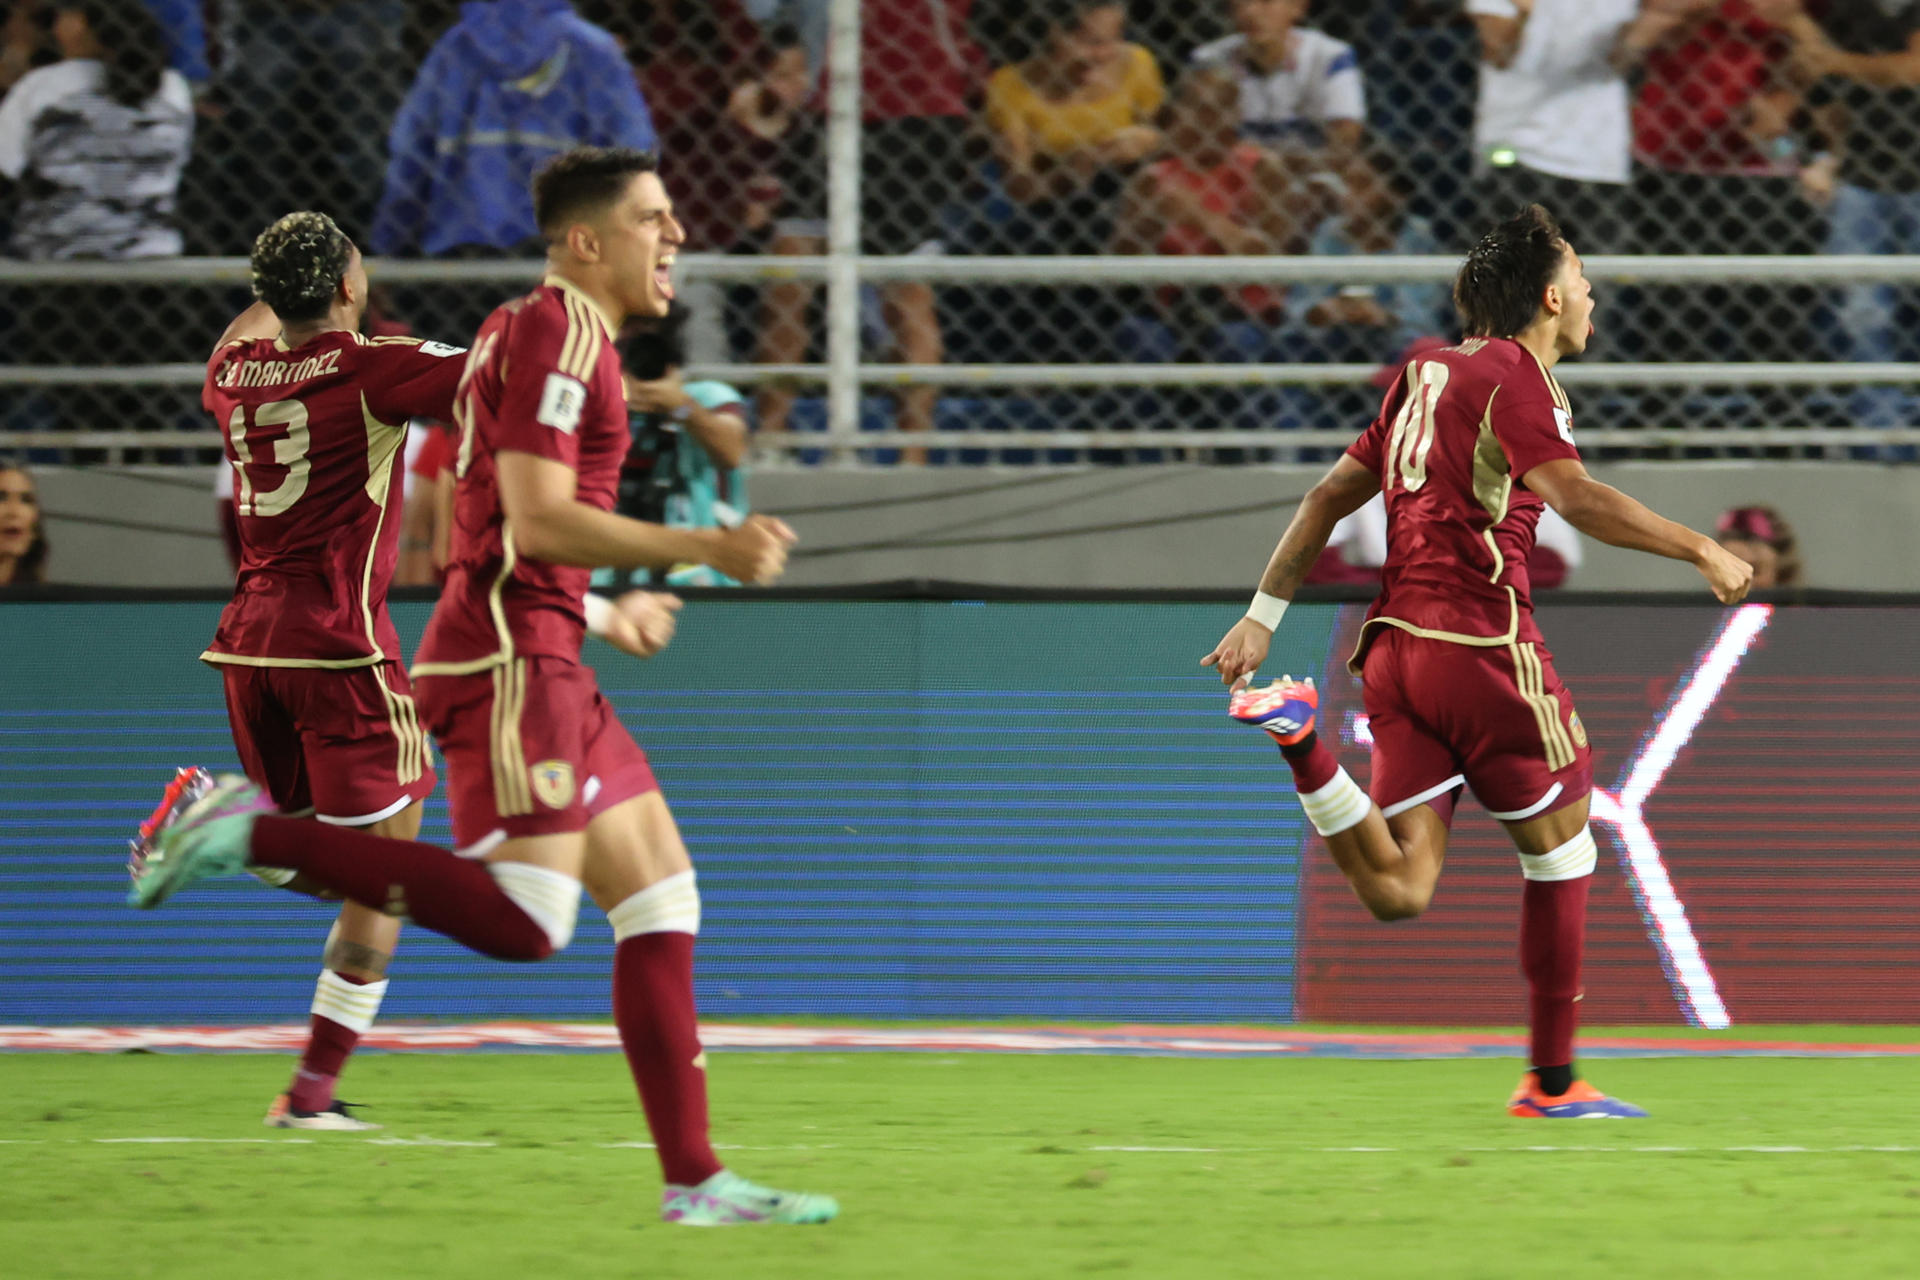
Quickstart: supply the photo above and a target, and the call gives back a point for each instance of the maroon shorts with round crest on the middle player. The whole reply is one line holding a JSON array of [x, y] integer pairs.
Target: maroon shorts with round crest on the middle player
[[531, 749]]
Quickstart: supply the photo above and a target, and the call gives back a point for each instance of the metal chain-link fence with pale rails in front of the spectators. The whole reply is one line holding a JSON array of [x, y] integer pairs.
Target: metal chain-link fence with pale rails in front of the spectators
[[1230, 216]]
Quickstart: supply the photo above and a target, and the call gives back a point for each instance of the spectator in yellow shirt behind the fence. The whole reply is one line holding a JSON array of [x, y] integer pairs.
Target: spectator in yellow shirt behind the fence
[[1070, 120]]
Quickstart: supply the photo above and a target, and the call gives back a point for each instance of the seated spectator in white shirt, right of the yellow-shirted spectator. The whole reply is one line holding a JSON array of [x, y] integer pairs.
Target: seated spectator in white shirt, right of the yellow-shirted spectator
[[1301, 95]]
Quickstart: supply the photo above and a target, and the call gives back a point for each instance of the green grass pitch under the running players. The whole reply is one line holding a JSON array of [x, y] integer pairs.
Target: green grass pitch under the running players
[[969, 1166]]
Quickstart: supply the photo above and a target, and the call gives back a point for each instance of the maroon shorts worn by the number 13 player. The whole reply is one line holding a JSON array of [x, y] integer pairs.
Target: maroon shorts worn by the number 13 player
[[341, 744]]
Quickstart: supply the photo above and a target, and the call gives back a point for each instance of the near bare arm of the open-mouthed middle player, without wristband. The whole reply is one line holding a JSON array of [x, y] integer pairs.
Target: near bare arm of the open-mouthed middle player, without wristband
[[539, 498]]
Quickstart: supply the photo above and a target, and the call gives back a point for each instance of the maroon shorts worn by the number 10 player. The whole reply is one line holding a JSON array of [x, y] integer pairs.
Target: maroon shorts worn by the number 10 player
[[1495, 719]]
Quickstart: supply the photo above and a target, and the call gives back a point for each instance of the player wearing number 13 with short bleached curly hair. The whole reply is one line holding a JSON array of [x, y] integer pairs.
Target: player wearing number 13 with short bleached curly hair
[[322, 713]]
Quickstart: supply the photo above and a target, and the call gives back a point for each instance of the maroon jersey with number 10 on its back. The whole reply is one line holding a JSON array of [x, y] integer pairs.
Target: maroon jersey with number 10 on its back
[[1458, 433]]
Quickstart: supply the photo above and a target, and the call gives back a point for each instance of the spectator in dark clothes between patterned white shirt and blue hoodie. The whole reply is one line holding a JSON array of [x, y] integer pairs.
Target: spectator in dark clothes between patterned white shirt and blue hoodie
[[299, 116]]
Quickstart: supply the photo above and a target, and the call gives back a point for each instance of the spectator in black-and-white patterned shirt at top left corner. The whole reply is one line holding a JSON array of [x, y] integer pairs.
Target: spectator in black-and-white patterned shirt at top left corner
[[97, 141]]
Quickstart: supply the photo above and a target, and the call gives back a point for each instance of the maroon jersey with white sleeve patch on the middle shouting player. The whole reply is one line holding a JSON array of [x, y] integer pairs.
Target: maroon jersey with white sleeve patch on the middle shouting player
[[542, 379]]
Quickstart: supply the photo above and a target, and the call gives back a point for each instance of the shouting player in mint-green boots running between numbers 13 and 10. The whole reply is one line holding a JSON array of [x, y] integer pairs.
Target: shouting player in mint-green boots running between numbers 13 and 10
[[548, 792]]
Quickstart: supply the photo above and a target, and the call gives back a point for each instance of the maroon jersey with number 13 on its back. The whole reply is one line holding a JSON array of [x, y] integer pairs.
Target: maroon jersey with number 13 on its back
[[316, 439]]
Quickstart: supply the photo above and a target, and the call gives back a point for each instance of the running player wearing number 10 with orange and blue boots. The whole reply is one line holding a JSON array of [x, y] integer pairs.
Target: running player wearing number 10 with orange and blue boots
[[1458, 684]]
